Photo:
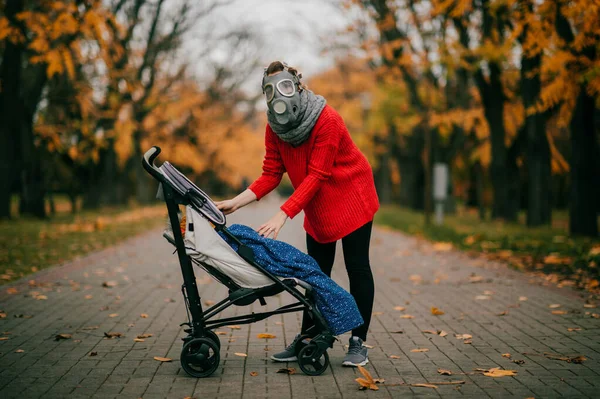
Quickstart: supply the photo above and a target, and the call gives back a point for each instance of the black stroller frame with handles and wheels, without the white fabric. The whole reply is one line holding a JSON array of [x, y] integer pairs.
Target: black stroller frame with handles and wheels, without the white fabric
[[201, 349]]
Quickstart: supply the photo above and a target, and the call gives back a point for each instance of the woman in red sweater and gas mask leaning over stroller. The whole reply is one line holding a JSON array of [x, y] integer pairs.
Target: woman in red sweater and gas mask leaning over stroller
[[333, 185]]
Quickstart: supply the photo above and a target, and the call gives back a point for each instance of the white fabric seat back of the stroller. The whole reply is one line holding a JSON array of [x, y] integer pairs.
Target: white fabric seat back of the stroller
[[204, 244]]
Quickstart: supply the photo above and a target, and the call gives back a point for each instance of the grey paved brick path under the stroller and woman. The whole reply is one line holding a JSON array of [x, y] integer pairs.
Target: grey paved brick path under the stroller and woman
[[408, 273]]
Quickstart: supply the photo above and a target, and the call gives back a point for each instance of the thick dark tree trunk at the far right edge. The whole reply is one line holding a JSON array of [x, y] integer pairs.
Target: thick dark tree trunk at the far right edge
[[584, 155]]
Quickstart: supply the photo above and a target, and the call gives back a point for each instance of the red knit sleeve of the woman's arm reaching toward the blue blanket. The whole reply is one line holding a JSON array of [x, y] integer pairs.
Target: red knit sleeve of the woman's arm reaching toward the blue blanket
[[319, 167]]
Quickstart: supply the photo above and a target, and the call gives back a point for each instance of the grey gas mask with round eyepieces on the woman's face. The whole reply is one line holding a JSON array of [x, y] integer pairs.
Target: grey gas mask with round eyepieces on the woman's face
[[283, 96]]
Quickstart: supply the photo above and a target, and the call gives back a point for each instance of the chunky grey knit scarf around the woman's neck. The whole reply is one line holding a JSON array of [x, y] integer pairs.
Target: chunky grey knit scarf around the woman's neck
[[311, 106]]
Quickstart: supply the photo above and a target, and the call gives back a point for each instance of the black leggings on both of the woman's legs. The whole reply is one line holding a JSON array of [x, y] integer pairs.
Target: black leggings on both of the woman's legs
[[356, 257]]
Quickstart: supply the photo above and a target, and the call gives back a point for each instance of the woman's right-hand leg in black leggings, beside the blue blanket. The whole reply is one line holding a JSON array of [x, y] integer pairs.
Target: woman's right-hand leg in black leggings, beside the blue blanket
[[356, 256]]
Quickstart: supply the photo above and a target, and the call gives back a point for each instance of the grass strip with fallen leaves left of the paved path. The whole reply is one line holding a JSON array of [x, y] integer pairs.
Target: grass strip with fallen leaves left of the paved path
[[29, 244]]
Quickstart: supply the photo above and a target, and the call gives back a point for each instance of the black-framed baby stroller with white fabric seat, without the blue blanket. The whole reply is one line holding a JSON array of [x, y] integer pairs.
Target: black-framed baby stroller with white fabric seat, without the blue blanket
[[246, 280]]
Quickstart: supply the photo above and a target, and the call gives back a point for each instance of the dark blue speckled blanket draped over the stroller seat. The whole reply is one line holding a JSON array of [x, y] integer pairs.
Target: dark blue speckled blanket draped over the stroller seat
[[335, 304]]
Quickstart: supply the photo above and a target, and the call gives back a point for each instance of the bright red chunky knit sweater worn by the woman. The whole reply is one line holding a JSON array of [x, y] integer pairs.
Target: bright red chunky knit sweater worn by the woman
[[333, 181]]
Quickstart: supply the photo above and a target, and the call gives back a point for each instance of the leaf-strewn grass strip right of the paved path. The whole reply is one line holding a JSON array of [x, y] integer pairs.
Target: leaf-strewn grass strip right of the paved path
[[548, 251]]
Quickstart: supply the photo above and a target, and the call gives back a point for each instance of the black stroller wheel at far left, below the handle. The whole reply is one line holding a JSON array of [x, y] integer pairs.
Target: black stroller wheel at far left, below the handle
[[200, 357]]
